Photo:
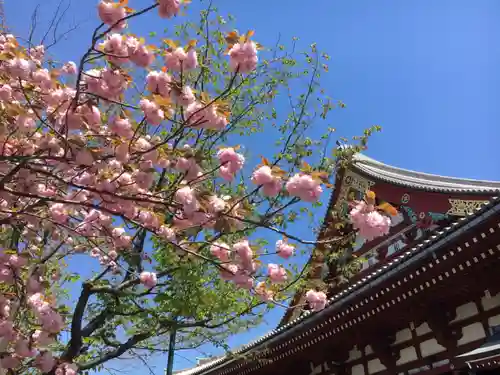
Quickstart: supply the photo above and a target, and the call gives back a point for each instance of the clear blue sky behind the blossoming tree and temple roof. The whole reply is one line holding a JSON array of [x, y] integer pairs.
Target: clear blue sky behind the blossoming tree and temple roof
[[427, 71]]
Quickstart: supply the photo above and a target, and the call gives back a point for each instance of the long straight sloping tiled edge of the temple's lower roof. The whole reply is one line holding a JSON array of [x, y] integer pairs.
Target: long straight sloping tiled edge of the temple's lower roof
[[417, 252]]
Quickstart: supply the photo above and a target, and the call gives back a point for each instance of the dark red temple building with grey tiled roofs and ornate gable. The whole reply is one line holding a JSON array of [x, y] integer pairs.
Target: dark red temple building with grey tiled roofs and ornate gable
[[424, 299]]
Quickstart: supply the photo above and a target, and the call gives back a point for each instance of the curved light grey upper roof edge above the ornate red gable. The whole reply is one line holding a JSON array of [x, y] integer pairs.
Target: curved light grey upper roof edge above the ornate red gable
[[419, 180]]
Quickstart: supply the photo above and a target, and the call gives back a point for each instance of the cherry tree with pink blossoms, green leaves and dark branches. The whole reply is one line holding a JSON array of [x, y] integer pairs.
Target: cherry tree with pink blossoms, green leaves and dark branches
[[135, 156]]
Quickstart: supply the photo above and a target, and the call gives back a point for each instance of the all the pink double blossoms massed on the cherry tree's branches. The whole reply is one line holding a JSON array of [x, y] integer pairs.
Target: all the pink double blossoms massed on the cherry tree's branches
[[82, 172]]
